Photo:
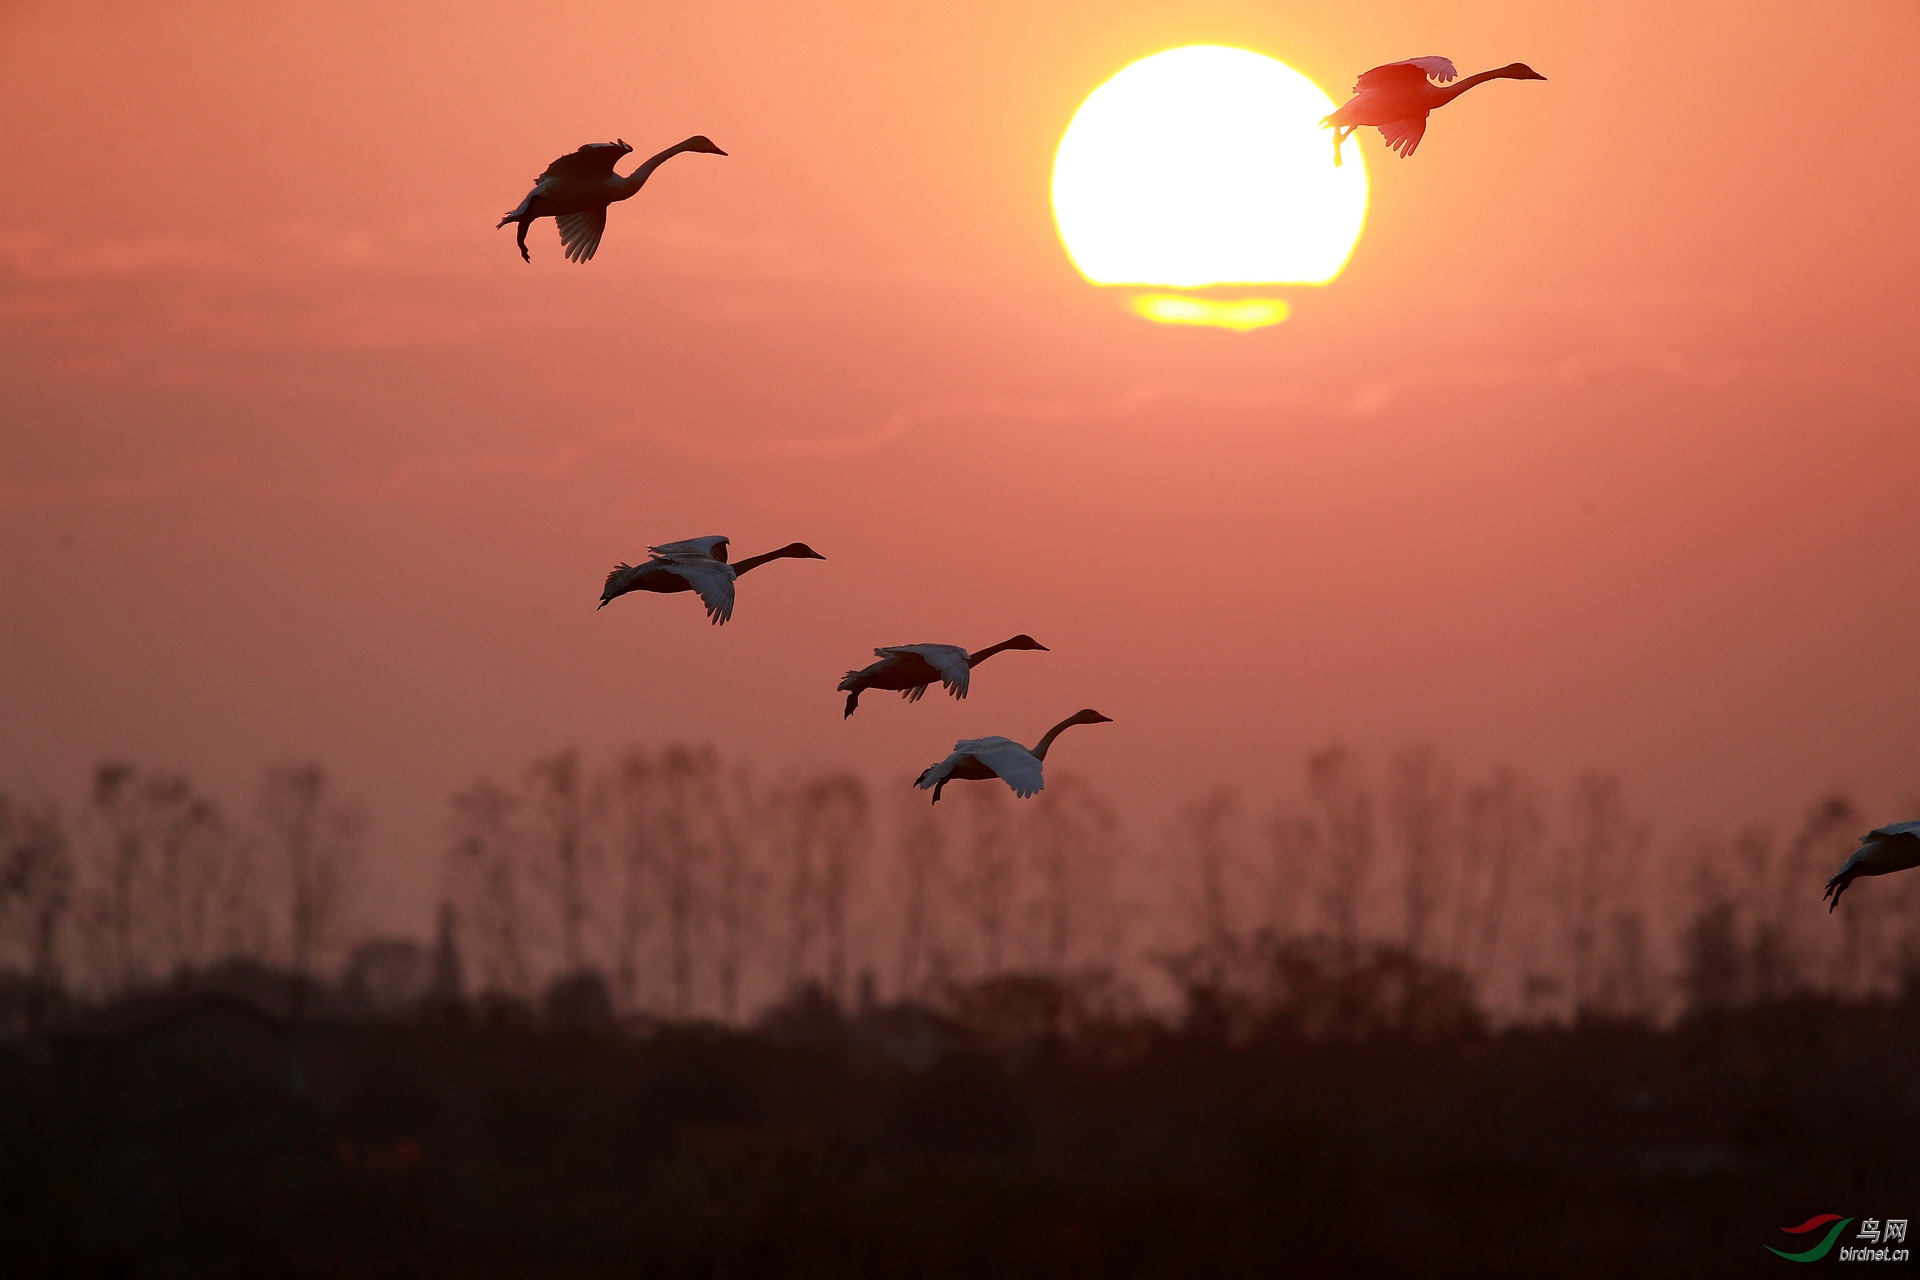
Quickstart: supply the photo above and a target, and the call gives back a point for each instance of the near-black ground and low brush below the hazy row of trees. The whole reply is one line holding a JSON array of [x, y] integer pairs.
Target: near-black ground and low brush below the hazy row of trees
[[1013, 1135]]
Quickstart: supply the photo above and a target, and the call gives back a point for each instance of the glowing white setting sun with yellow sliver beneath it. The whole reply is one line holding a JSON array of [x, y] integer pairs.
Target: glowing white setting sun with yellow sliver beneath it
[[1207, 166]]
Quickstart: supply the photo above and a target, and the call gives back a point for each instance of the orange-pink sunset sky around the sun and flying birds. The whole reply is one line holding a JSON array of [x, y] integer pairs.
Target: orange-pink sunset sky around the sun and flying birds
[[1600, 452]]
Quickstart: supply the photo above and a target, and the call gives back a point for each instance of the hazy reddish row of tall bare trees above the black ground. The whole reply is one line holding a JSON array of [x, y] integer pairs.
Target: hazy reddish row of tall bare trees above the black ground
[[696, 891]]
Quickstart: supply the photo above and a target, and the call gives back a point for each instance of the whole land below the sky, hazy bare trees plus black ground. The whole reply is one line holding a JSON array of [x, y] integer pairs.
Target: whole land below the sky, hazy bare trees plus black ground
[[677, 1020]]
